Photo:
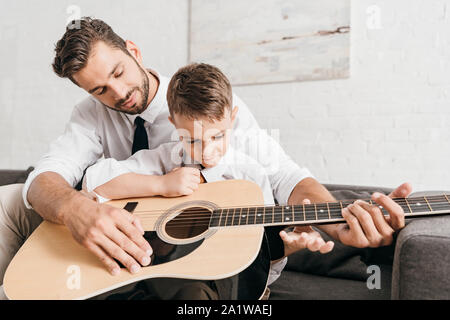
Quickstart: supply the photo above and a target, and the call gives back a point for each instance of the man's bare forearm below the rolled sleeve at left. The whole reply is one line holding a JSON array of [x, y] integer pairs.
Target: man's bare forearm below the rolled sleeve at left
[[51, 196]]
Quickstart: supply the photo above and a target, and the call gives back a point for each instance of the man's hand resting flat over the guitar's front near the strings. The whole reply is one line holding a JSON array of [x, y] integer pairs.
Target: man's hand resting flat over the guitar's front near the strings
[[109, 233]]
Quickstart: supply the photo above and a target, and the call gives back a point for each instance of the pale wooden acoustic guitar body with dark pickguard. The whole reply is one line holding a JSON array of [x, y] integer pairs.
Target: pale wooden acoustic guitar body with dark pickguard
[[52, 265]]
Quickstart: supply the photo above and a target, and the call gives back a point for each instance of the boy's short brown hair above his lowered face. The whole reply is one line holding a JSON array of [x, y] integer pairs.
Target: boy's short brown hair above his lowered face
[[199, 90]]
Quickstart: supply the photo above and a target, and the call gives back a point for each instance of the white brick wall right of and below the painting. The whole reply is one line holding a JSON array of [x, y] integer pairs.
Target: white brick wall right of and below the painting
[[390, 121]]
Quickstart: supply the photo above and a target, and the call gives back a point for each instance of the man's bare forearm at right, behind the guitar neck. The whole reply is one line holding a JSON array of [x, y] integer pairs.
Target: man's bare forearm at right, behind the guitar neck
[[310, 188]]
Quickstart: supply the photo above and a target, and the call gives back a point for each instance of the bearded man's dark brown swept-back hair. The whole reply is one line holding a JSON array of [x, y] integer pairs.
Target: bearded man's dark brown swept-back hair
[[74, 48]]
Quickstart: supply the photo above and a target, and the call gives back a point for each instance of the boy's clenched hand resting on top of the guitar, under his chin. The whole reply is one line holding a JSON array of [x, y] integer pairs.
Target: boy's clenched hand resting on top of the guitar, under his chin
[[180, 181]]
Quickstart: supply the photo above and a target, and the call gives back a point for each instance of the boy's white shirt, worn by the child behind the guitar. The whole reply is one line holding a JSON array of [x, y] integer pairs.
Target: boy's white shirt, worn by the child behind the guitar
[[233, 165]]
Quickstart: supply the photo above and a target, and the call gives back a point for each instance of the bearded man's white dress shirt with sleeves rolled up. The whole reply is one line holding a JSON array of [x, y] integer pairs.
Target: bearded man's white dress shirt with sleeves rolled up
[[95, 130]]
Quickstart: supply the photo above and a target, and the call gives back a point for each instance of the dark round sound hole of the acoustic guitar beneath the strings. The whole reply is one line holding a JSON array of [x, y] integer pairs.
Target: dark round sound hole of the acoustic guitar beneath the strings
[[189, 223]]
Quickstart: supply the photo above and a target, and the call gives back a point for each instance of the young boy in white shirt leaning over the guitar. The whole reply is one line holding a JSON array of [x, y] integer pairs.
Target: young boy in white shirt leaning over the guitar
[[200, 105]]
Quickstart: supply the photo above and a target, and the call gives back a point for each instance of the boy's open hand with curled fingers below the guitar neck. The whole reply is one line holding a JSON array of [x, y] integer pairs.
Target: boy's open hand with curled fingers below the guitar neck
[[304, 237]]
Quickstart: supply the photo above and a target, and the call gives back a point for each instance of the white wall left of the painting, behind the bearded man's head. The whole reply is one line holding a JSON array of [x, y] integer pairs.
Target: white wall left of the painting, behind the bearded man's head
[[35, 104]]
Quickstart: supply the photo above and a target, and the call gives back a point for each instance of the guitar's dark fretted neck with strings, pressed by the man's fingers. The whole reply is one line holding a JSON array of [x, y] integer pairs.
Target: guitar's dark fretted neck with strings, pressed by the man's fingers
[[319, 213]]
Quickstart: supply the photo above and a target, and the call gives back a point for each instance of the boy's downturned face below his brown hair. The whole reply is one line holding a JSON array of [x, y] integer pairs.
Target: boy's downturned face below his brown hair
[[205, 141]]
